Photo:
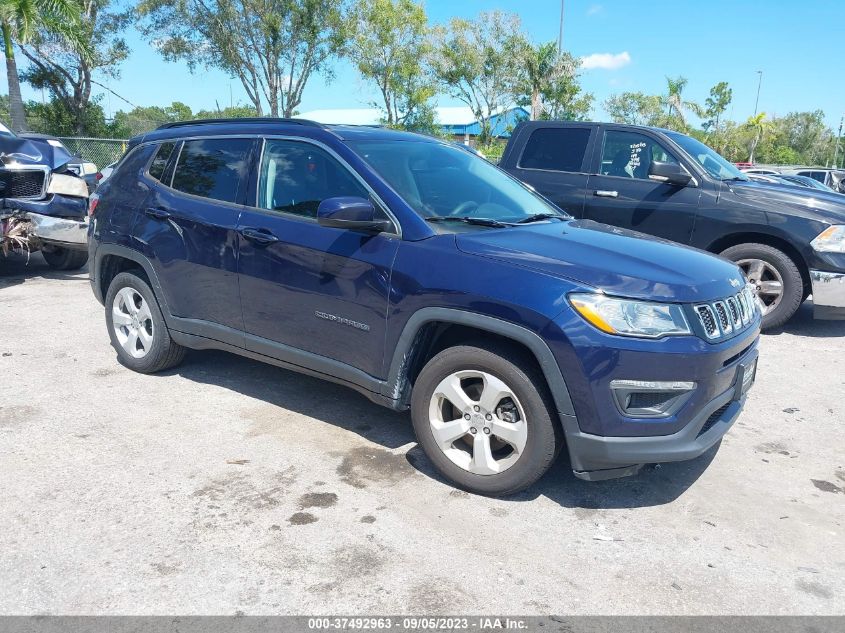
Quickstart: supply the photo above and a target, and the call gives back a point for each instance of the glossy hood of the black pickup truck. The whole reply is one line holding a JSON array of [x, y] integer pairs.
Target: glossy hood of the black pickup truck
[[810, 203]]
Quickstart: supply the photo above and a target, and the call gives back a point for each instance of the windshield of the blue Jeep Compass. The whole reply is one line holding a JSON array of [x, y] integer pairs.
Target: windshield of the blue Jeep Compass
[[438, 180]]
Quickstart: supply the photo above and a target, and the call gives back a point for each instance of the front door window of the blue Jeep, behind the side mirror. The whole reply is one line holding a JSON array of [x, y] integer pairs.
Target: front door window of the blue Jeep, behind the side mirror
[[296, 177]]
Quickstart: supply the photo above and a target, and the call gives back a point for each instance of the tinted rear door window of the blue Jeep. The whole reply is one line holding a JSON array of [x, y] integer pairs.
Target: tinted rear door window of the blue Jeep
[[212, 168]]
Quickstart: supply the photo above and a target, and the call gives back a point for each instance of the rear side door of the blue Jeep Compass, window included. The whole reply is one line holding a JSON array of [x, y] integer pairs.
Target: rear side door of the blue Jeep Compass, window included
[[188, 229]]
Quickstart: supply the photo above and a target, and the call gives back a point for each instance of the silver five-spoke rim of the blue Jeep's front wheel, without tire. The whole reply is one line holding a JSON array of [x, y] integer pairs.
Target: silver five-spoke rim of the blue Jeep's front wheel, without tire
[[478, 422]]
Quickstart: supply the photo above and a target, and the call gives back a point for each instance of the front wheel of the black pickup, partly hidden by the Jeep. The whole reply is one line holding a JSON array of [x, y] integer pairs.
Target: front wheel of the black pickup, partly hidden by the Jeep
[[775, 278]]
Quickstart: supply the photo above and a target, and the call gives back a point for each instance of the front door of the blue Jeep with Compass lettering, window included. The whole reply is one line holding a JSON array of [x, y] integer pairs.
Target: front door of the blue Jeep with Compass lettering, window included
[[305, 286]]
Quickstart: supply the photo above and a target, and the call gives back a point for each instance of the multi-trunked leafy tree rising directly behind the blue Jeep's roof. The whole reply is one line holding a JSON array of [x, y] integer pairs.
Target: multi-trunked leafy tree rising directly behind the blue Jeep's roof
[[272, 46]]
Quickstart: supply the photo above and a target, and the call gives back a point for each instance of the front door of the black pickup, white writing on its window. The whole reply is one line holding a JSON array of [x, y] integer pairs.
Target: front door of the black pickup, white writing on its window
[[620, 192]]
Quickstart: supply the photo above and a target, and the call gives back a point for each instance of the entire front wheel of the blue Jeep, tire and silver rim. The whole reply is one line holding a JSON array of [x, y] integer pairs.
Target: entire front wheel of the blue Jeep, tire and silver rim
[[484, 421]]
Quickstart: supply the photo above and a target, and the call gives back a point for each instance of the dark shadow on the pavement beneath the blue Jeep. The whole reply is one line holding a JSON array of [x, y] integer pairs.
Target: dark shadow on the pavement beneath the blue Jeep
[[351, 411]]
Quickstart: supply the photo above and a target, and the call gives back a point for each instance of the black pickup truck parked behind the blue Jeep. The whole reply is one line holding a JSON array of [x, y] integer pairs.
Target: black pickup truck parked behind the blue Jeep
[[789, 243]]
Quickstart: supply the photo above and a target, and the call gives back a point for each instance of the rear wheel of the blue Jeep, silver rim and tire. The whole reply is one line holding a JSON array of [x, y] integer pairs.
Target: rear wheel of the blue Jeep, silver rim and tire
[[136, 327]]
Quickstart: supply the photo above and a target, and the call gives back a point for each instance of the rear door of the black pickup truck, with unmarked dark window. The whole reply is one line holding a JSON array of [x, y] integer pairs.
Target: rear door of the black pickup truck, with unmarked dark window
[[553, 161]]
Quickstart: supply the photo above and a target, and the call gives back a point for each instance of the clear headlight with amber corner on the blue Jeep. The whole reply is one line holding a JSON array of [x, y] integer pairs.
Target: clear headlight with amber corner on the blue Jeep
[[629, 317]]
